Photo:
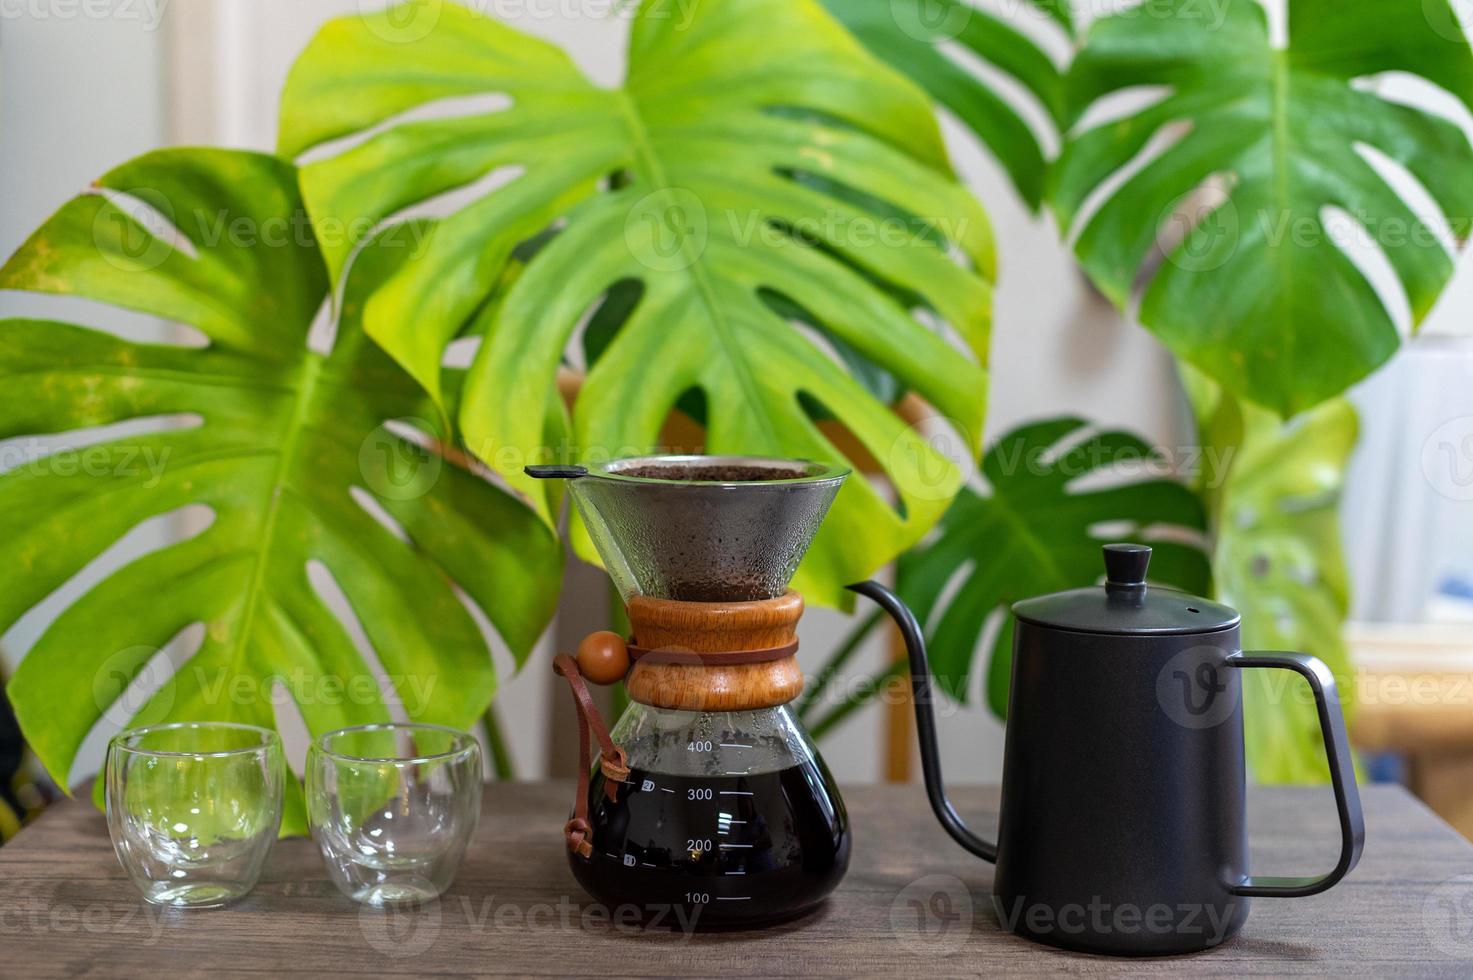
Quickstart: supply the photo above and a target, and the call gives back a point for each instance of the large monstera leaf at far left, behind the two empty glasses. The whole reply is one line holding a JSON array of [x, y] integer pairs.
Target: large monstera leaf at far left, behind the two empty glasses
[[289, 450]]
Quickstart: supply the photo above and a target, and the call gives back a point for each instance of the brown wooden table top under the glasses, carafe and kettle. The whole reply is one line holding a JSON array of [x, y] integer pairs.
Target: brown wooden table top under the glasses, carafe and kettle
[[67, 909]]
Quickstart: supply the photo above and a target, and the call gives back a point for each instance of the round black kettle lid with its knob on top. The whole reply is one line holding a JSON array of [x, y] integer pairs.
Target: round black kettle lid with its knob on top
[[1126, 605]]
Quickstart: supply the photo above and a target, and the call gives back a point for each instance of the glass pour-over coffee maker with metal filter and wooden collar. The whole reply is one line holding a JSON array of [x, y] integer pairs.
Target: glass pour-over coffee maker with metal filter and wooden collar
[[708, 795]]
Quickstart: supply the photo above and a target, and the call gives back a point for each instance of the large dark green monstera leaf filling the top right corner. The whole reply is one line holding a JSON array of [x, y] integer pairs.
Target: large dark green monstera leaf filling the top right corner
[[1260, 294]]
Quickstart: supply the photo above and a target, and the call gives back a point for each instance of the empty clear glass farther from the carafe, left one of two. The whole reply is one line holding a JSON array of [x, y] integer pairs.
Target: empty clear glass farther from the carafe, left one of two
[[194, 810]]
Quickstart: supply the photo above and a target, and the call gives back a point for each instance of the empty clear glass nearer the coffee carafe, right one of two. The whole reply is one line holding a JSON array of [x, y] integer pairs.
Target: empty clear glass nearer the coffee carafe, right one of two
[[393, 808]]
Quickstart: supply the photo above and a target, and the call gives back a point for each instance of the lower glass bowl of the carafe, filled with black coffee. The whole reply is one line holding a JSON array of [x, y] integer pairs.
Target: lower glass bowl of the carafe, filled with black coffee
[[727, 810]]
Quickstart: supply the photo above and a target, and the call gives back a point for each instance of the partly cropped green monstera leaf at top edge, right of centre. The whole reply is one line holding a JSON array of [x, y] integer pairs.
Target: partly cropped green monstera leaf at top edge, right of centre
[[918, 38]]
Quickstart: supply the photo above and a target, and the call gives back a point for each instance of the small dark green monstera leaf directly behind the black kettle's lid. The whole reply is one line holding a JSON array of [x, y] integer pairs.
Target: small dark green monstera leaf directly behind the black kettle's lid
[[1036, 531]]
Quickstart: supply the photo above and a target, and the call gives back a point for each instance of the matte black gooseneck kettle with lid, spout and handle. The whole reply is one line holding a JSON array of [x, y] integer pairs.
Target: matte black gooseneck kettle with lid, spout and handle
[[1123, 823]]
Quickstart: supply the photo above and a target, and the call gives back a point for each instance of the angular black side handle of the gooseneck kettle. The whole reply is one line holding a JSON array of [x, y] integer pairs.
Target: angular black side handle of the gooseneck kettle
[[1343, 776]]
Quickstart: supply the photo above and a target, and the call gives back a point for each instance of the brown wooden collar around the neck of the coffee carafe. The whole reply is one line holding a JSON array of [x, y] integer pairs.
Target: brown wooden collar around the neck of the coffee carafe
[[668, 633]]
